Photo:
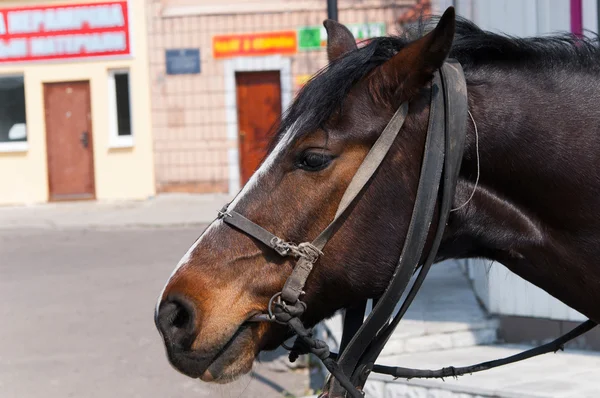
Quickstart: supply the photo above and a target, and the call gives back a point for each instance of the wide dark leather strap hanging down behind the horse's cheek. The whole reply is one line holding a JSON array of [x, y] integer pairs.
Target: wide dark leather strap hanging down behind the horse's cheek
[[449, 128]]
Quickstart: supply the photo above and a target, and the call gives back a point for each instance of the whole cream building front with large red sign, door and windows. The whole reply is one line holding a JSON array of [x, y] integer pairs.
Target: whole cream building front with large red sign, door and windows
[[74, 101]]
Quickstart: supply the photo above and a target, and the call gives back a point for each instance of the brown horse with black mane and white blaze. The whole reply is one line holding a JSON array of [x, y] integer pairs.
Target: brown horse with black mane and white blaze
[[527, 192]]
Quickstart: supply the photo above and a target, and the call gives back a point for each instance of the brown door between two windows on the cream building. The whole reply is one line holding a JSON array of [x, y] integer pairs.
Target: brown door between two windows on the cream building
[[69, 140]]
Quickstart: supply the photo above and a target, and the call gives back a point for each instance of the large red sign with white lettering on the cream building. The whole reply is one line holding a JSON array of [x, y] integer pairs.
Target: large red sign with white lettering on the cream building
[[64, 32]]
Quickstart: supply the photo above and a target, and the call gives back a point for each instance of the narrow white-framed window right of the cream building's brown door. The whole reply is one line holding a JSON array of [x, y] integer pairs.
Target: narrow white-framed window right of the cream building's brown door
[[121, 134]]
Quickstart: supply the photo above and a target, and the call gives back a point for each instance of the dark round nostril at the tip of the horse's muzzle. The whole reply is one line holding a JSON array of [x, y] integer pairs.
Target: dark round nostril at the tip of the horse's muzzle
[[175, 321]]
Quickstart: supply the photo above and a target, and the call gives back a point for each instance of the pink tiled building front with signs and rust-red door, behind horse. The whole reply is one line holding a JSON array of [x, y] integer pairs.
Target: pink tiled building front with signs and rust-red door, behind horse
[[223, 72]]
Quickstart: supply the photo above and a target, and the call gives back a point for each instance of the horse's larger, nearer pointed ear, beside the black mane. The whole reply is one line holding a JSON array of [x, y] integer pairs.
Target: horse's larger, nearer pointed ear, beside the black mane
[[415, 64]]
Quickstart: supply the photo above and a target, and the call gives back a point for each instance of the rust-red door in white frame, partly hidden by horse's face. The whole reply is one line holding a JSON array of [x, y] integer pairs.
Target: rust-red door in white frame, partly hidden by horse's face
[[259, 107]]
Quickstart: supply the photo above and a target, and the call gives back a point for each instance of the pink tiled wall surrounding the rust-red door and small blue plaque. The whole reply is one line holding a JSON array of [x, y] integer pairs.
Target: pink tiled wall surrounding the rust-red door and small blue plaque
[[195, 141]]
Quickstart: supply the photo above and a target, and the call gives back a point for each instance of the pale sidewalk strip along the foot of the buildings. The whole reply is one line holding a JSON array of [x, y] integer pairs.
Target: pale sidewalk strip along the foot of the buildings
[[162, 210]]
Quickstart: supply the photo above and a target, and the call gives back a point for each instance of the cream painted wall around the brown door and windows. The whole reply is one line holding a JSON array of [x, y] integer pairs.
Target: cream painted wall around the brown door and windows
[[120, 173]]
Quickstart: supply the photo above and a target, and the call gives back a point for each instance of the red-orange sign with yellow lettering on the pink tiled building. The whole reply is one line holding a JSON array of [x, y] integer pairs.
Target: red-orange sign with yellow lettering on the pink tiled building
[[284, 42]]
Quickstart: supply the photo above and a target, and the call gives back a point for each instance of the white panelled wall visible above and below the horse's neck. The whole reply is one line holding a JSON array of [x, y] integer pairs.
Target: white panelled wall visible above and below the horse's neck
[[501, 291]]
